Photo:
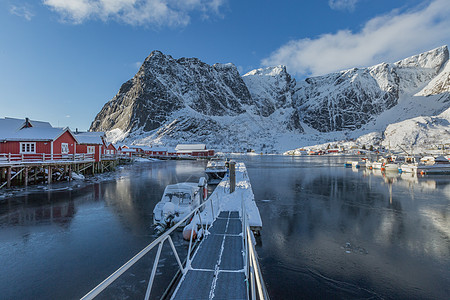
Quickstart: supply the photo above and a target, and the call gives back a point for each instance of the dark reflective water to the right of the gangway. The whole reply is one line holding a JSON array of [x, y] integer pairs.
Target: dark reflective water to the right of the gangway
[[351, 234]]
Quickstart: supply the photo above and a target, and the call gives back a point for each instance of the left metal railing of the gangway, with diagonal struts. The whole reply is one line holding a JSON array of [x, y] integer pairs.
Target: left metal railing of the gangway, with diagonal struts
[[158, 242]]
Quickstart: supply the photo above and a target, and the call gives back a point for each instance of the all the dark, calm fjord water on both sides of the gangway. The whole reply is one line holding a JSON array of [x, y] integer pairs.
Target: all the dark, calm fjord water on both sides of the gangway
[[328, 232]]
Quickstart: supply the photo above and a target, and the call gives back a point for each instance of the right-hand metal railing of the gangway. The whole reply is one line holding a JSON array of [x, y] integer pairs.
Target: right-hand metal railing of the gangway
[[256, 287]]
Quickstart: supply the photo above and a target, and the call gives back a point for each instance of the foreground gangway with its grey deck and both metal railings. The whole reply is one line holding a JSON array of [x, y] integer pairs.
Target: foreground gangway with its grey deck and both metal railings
[[224, 265]]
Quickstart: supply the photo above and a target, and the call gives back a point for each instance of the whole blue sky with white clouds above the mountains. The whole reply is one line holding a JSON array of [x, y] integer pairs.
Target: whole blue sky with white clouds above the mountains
[[62, 60]]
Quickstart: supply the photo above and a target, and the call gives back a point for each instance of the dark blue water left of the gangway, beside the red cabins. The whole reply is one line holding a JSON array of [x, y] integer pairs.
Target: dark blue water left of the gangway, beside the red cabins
[[60, 243]]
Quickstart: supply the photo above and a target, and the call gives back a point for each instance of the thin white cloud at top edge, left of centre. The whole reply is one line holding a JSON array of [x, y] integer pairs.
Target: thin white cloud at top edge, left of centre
[[134, 12]]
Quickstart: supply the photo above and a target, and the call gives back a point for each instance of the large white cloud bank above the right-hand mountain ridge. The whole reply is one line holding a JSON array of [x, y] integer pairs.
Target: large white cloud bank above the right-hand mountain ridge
[[384, 38]]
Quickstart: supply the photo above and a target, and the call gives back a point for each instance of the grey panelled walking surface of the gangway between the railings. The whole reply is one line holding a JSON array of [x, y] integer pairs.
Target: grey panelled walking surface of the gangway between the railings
[[217, 269]]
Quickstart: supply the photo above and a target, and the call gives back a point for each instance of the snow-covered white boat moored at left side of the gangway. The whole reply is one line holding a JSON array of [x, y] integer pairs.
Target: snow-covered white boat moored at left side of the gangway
[[178, 201]]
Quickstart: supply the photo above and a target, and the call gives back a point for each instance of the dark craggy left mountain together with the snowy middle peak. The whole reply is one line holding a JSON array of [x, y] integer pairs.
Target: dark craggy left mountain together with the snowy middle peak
[[184, 100]]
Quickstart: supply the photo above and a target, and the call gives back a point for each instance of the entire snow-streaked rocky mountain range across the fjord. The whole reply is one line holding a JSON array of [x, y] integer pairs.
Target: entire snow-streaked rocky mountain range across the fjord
[[171, 101]]
